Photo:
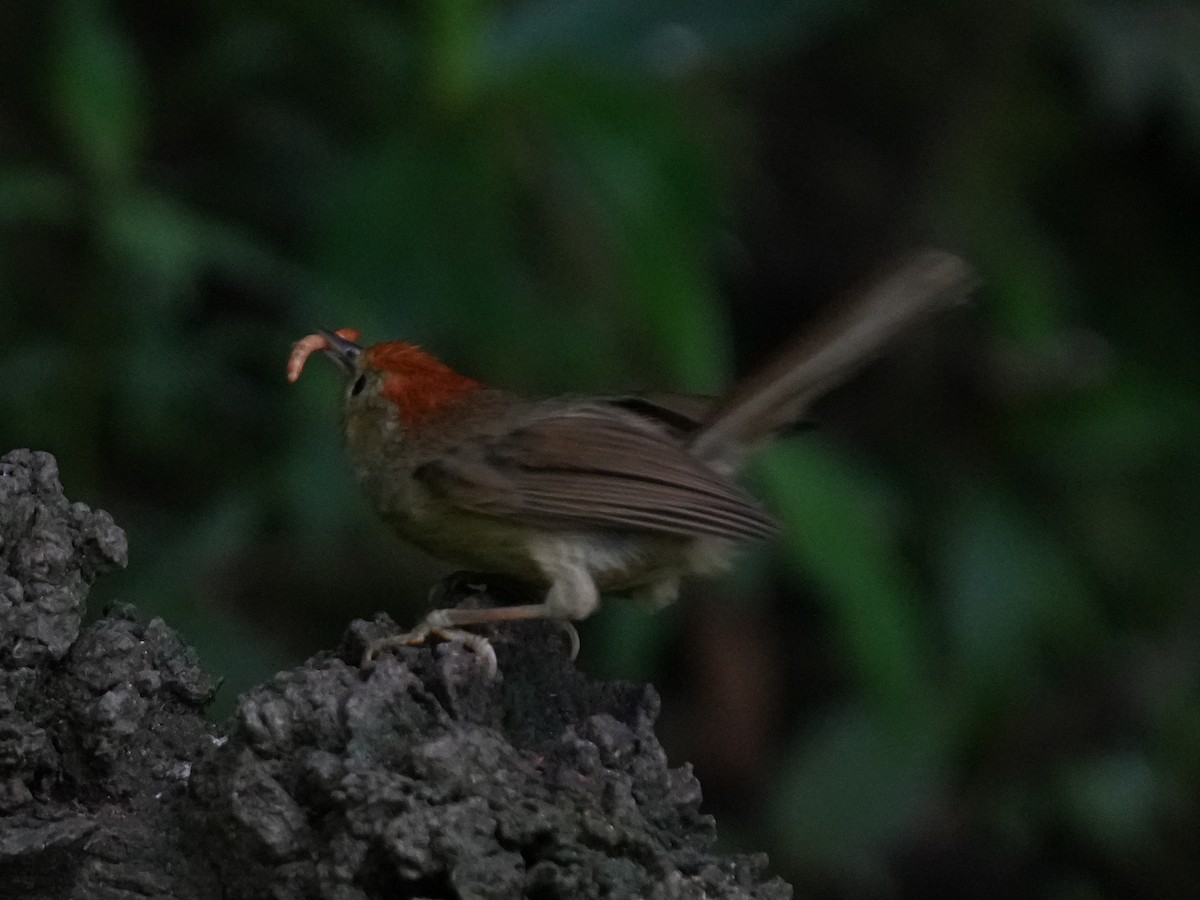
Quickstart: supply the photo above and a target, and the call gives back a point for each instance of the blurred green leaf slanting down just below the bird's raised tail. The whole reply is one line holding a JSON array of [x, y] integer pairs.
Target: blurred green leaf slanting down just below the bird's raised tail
[[839, 536]]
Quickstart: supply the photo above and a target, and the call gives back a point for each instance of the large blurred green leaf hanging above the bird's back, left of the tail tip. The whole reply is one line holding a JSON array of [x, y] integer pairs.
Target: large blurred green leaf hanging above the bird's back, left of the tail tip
[[640, 165]]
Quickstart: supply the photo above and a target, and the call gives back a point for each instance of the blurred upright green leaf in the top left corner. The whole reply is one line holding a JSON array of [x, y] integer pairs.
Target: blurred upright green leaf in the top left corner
[[99, 91]]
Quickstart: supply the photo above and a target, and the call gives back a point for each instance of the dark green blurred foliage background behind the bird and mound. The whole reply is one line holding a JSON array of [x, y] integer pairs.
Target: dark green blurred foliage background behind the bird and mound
[[971, 667]]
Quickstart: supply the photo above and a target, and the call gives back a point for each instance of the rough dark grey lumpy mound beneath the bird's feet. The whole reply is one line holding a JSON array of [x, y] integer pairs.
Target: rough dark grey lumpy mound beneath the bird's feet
[[421, 777]]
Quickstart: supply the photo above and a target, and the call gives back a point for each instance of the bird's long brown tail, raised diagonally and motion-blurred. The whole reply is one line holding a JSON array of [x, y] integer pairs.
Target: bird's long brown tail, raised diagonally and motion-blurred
[[818, 362]]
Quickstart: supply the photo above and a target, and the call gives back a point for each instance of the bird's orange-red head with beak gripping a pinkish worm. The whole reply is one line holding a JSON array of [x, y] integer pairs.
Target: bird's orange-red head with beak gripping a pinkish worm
[[393, 377]]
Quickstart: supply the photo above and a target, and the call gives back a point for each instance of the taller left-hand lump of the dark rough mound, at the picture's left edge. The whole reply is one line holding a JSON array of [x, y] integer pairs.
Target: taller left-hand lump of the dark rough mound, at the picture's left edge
[[99, 727]]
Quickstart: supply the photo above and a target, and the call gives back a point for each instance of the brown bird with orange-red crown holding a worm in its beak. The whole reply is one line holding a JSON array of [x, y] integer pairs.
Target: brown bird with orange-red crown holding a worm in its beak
[[580, 496]]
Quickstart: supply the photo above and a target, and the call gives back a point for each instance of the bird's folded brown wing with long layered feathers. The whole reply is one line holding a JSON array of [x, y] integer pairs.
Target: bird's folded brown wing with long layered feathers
[[595, 469]]
